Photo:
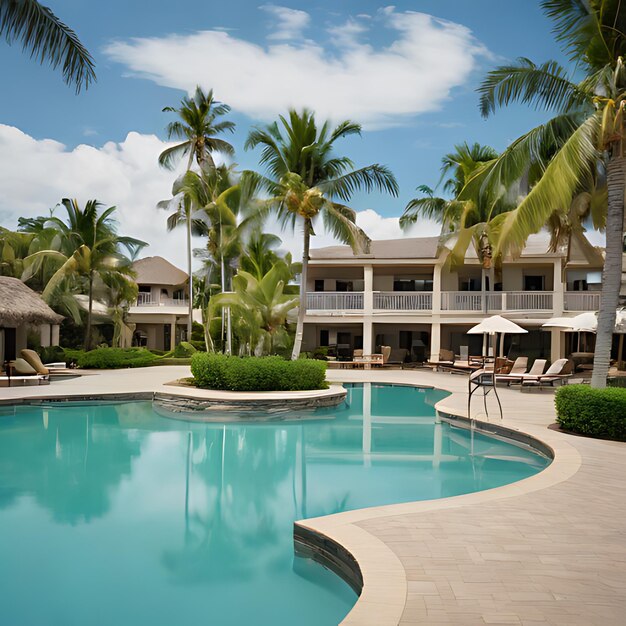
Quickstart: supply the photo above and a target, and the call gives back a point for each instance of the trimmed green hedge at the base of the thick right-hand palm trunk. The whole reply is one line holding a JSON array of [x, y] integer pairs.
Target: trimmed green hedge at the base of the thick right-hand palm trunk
[[595, 412]]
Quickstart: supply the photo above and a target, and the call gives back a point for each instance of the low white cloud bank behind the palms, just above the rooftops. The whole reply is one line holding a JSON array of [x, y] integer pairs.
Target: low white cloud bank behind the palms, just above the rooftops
[[36, 174]]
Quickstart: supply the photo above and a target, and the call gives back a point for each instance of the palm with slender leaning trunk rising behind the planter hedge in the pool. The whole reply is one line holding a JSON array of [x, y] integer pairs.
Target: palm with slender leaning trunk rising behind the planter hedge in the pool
[[304, 177]]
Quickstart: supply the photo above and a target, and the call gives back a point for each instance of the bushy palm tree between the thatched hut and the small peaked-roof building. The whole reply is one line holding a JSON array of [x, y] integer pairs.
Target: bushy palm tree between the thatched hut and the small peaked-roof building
[[90, 249]]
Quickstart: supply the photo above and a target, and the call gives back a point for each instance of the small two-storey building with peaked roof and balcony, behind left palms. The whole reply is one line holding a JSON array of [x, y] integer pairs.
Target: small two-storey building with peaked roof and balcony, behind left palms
[[161, 311]]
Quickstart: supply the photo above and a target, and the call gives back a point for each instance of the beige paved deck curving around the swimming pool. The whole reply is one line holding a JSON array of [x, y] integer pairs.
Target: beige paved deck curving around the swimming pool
[[546, 550]]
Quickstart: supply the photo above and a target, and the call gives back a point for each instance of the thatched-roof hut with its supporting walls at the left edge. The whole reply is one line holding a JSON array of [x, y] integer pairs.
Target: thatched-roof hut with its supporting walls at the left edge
[[22, 309]]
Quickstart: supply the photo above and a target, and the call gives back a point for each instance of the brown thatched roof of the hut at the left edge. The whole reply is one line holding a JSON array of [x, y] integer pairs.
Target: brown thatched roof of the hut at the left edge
[[19, 305]]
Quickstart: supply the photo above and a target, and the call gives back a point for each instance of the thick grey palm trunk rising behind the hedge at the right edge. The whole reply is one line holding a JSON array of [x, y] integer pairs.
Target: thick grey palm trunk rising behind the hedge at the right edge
[[612, 273]]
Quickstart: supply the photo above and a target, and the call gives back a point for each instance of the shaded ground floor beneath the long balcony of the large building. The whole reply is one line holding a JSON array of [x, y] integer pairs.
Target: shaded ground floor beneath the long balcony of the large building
[[420, 342]]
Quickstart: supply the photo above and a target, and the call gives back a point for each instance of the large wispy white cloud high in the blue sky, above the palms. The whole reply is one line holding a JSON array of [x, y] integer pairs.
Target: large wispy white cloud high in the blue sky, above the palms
[[377, 86]]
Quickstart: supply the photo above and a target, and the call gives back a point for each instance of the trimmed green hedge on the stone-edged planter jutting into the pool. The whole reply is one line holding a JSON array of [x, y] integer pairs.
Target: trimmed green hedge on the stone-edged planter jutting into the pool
[[271, 373]]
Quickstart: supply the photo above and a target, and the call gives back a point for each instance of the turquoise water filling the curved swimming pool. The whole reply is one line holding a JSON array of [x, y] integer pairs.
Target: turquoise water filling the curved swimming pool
[[111, 514]]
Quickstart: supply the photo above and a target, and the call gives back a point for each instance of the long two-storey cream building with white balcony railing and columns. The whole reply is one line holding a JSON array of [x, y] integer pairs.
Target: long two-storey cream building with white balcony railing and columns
[[404, 295]]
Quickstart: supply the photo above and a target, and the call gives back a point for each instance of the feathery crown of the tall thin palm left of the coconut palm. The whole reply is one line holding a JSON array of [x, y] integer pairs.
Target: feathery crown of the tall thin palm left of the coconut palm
[[197, 131]]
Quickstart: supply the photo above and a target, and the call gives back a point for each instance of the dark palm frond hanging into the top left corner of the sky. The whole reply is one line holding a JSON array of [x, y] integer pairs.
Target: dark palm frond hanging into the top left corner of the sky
[[47, 39]]
